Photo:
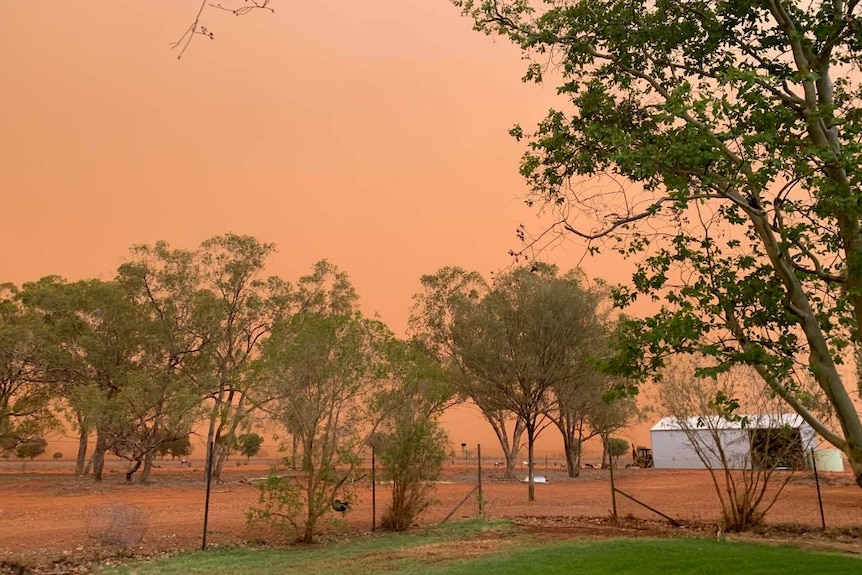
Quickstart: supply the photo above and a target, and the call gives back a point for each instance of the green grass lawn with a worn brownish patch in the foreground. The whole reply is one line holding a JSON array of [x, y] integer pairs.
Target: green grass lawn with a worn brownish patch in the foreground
[[485, 548]]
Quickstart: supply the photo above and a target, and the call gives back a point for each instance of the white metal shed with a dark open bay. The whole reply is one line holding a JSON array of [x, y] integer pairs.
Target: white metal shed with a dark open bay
[[782, 439]]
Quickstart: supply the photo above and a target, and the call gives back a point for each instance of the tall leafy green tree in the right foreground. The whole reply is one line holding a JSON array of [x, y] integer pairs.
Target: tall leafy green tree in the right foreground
[[736, 127]]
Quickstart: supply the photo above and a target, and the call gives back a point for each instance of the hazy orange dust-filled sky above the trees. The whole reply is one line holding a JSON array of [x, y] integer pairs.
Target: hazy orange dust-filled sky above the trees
[[373, 134]]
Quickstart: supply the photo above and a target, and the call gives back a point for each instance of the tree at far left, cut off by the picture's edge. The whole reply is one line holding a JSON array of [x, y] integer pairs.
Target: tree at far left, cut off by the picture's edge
[[26, 392]]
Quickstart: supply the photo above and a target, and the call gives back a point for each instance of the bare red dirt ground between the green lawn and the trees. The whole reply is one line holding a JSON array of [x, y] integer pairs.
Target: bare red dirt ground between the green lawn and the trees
[[51, 521]]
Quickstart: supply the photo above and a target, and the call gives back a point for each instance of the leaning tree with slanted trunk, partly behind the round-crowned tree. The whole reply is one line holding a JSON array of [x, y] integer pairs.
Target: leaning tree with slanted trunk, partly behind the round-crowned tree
[[443, 294]]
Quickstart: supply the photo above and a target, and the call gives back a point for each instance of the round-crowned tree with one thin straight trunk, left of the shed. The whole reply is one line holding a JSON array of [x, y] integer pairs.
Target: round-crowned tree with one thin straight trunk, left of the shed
[[523, 339]]
